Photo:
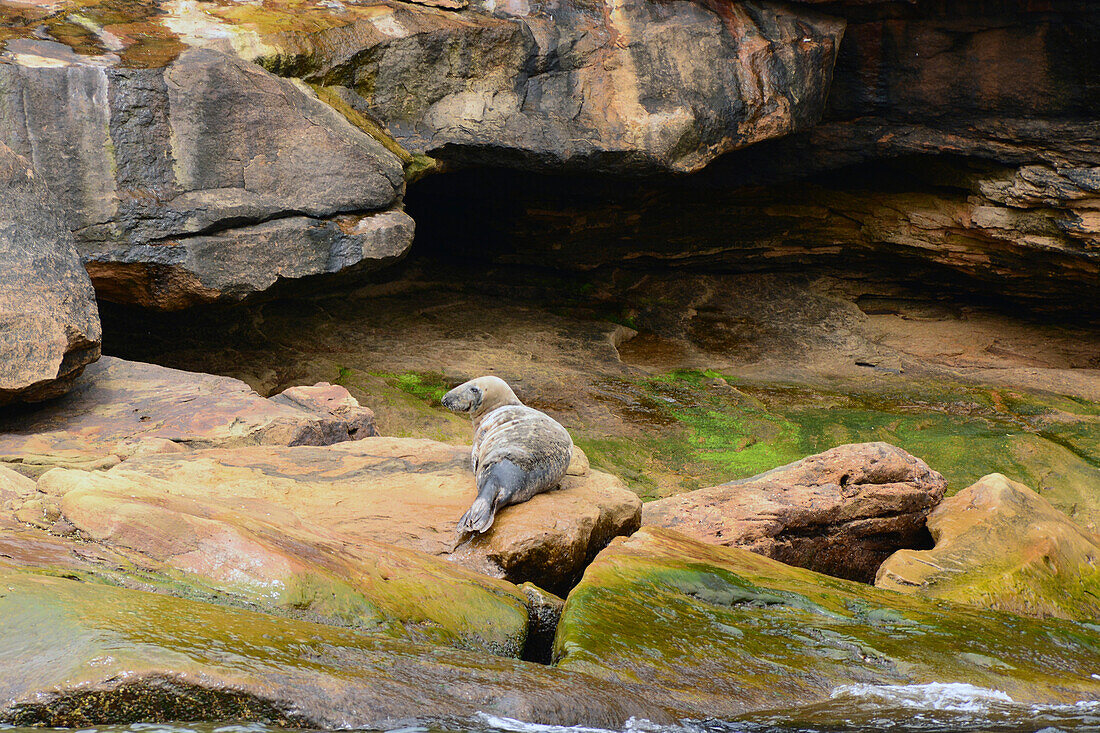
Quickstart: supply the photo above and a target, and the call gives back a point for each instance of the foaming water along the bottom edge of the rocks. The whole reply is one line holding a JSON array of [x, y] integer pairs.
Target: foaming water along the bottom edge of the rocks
[[854, 709]]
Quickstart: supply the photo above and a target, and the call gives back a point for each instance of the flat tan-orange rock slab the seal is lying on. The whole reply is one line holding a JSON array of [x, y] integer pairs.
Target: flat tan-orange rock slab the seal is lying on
[[354, 496]]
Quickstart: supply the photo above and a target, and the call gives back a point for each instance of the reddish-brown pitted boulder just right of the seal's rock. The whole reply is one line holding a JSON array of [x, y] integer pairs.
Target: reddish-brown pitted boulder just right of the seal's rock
[[841, 512]]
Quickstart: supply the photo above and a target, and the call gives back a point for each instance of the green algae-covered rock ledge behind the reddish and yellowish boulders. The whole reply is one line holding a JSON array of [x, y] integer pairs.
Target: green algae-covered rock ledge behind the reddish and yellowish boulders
[[713, 428]]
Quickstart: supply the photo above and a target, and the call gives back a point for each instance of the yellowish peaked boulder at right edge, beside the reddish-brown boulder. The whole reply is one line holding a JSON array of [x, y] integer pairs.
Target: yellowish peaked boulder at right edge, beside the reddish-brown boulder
[[1000, 545]]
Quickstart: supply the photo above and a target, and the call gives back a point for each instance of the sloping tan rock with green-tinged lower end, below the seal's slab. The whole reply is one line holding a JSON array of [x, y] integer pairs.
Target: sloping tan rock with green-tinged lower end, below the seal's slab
[[233, 549]]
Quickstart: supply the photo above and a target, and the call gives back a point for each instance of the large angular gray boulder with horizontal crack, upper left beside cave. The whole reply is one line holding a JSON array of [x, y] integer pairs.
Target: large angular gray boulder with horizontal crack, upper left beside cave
[[205, 179]]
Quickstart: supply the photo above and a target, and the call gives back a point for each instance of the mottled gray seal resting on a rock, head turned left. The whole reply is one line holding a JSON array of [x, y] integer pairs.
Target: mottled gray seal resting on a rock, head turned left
[[518, 453]]
